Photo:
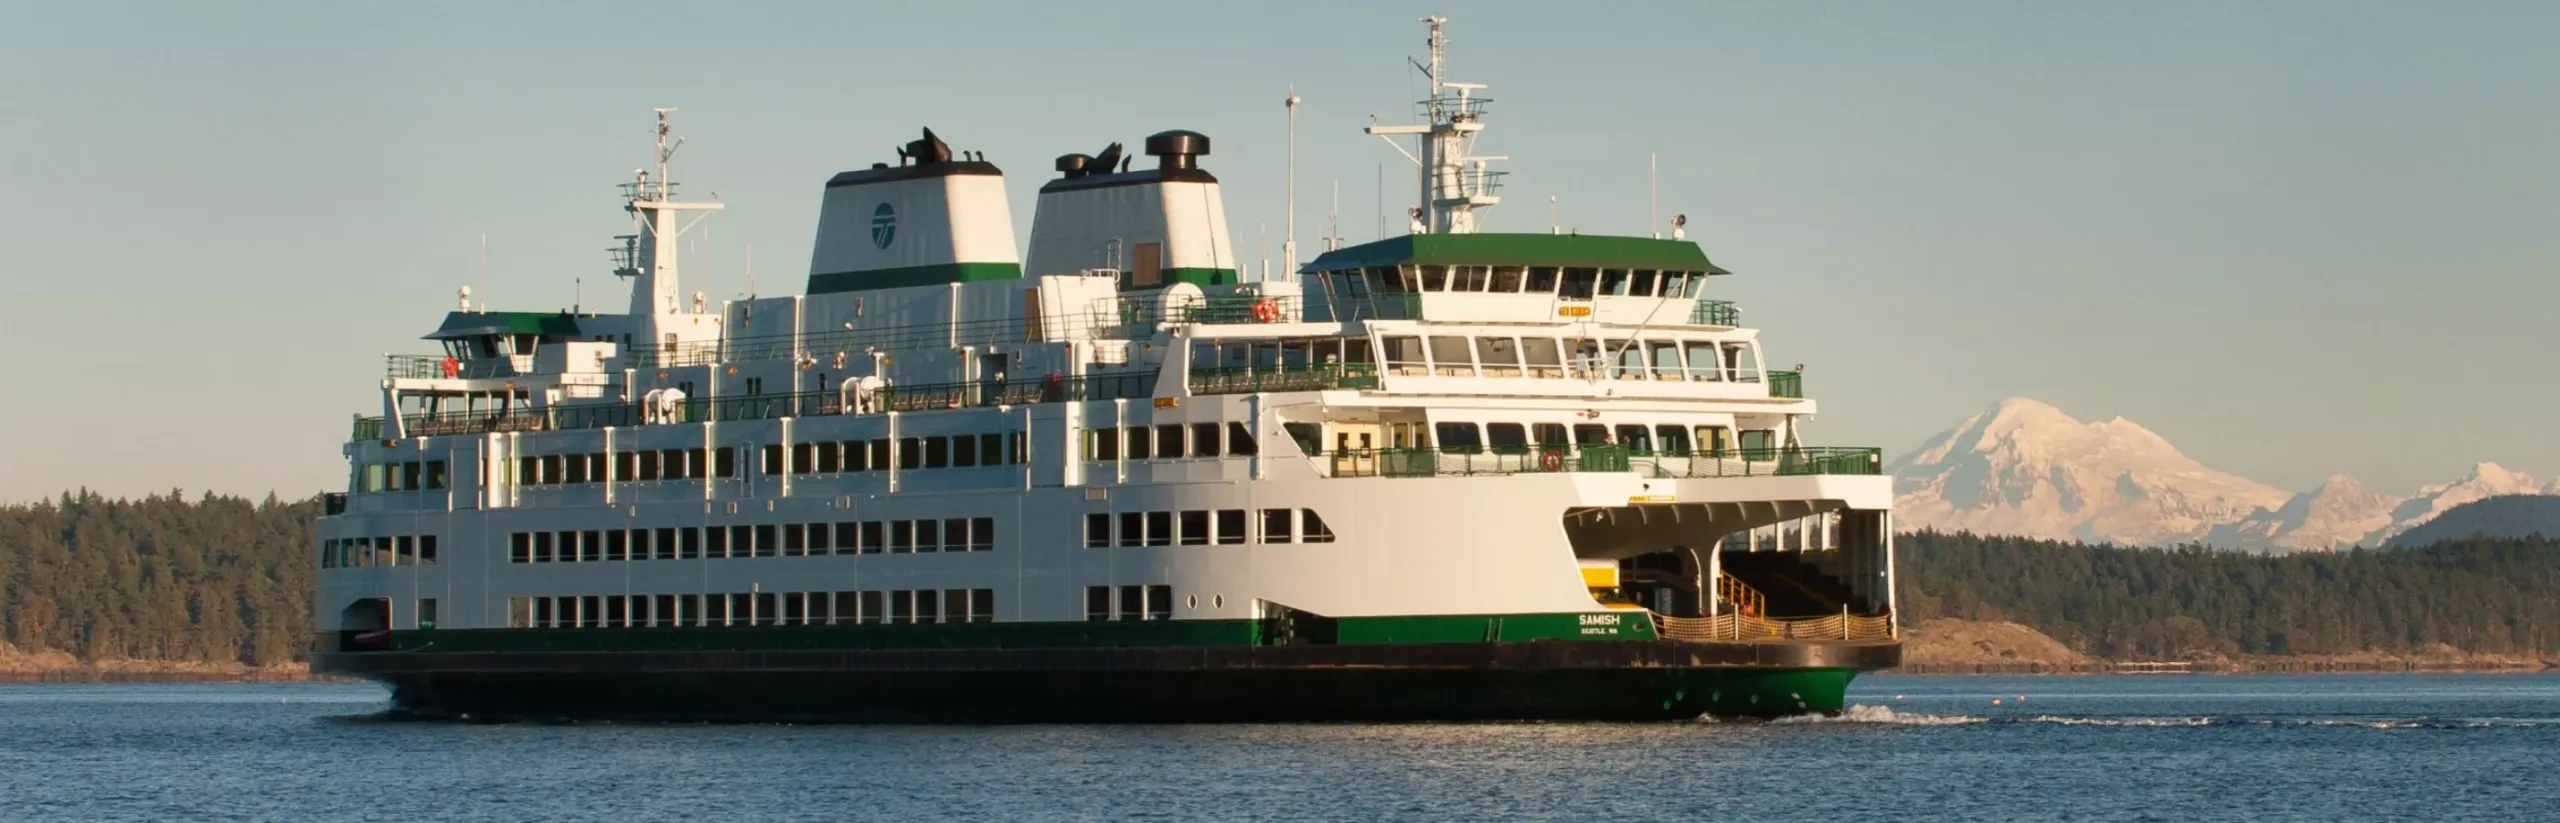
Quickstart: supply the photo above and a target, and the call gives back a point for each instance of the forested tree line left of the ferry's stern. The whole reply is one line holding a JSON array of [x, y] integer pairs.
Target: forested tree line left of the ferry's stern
[[160, 578]]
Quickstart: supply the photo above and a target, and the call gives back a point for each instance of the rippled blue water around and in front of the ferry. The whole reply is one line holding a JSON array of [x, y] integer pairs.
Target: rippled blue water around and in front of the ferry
[[2436, 747]]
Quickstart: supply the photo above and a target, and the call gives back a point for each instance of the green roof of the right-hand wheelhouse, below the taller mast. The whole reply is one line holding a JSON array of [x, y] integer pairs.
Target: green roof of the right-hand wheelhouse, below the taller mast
[[1519, 250]]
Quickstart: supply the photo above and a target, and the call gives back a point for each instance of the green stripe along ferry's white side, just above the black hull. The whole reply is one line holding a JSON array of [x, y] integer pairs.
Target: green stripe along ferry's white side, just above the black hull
[[1066, 635]]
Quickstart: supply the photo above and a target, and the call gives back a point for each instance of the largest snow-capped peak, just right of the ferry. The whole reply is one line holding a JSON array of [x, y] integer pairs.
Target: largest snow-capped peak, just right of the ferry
[[2029, 468]]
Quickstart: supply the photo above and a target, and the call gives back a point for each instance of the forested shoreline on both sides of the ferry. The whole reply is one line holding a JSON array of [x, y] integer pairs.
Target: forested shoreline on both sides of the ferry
[[227, 581]]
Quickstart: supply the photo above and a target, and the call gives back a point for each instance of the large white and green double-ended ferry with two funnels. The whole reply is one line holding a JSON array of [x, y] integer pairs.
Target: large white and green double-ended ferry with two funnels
[[1443, 476]]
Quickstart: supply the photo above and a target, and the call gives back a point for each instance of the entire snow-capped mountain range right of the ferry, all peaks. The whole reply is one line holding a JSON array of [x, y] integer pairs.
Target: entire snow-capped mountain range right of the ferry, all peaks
[[2031, 470]]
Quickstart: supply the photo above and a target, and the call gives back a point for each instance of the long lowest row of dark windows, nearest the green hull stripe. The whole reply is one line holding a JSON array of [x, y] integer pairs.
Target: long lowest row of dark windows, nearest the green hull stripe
[[754, 609]]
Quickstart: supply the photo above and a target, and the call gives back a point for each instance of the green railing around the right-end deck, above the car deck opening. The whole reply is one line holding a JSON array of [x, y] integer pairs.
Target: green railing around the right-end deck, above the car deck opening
[[1540, 460]]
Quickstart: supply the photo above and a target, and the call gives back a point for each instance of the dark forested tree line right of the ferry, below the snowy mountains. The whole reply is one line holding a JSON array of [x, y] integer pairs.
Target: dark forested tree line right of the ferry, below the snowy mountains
[[2495, 596]]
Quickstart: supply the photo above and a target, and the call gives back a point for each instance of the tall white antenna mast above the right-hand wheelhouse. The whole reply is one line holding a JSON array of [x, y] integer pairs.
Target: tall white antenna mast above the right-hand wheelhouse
[[1453, 181]]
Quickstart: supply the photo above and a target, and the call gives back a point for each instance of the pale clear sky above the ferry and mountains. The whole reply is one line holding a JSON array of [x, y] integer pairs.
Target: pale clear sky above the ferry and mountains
[[2295, 240]]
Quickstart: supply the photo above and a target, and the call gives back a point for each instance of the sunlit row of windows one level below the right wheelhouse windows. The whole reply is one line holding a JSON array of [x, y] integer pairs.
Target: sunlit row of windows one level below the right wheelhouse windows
[[1568, 358]]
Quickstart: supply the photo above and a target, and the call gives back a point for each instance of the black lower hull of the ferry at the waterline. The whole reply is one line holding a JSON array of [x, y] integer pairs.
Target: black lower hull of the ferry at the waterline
[[1617, 681]]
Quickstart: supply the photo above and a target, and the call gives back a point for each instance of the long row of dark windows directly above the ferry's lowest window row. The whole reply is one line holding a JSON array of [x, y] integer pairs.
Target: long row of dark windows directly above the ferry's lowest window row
[[764, 540]]
